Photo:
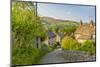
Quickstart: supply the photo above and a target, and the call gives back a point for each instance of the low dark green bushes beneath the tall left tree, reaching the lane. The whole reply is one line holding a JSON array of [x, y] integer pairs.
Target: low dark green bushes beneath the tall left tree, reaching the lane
[[28, 55]]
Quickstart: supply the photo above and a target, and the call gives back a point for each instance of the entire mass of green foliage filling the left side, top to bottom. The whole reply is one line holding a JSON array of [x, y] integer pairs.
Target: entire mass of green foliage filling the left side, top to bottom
[[25, 29]]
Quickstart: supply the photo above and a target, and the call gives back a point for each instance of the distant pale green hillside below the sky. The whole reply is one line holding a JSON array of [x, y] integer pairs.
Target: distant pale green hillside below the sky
[[49, 22]]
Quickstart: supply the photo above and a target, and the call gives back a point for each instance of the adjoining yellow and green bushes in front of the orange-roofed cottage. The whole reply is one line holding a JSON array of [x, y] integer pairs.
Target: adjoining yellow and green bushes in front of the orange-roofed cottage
[[88, 46]]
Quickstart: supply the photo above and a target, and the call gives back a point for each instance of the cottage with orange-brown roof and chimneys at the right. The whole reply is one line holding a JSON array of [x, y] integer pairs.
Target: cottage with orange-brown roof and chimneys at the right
[[85, 31]]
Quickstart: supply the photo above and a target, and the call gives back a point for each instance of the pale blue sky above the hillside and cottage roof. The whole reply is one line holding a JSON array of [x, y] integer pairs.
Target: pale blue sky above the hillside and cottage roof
[[66, 12]]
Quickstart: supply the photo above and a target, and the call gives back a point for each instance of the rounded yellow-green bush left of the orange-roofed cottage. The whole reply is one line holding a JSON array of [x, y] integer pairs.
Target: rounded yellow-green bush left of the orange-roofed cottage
[[69, 43]]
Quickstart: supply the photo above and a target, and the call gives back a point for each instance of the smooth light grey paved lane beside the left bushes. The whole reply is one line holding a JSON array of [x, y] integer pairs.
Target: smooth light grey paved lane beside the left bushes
[[53, 57]]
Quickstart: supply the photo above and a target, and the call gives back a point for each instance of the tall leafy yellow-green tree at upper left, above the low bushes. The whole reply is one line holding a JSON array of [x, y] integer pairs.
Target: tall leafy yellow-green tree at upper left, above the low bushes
[[25, 24]]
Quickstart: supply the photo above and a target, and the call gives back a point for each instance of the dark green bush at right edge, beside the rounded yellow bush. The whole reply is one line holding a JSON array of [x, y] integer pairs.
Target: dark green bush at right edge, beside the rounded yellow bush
[[88, 46]]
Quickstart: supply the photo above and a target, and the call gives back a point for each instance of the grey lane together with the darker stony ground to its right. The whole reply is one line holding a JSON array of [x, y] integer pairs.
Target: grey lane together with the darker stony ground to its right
[[58, 56]]
